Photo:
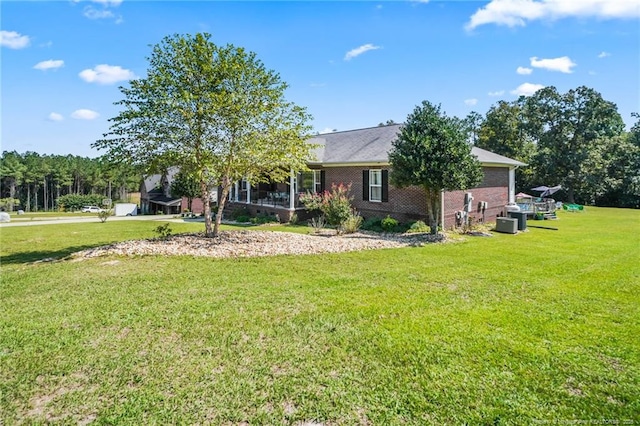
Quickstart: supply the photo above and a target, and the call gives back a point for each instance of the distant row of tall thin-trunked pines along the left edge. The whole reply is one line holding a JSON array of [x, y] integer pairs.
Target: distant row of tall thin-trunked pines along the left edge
[[34, 182]]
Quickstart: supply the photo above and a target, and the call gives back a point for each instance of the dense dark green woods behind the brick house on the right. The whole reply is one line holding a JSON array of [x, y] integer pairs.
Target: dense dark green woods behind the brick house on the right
[[575, 139]]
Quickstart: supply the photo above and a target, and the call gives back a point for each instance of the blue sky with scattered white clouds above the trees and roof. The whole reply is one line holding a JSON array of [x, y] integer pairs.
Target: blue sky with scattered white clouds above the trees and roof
[[351, 64]]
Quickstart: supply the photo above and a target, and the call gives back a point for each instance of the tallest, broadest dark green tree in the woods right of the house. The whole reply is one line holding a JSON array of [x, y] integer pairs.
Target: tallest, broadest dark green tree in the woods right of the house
[[569, 130]]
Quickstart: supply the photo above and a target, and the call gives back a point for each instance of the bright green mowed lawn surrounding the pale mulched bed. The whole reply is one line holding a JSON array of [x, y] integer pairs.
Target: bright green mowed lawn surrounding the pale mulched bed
[[538, 327]]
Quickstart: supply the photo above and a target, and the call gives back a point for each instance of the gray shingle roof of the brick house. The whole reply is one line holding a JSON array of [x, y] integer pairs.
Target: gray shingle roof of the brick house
[[372, 146]]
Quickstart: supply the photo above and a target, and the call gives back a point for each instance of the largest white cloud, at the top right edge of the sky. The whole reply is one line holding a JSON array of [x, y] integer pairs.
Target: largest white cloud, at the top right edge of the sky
[[512, 13]]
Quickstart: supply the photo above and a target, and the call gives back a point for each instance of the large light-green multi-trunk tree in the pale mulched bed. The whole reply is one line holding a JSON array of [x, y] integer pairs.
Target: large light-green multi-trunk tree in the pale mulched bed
[[215, 112]]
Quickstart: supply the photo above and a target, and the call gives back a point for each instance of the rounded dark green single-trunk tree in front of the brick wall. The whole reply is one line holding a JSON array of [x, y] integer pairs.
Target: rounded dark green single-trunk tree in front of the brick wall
[[432, 151]]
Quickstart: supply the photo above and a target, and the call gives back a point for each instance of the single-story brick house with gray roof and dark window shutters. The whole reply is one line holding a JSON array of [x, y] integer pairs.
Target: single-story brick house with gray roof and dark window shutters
[[361, 158]]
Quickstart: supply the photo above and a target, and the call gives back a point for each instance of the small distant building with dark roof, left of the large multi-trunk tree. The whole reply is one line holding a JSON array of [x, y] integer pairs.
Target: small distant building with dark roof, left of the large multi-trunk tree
[[155, 194]]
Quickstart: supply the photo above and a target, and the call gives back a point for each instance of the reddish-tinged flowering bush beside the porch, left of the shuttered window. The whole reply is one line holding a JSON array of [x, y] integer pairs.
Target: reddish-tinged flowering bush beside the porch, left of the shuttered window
[[334, 204]]
